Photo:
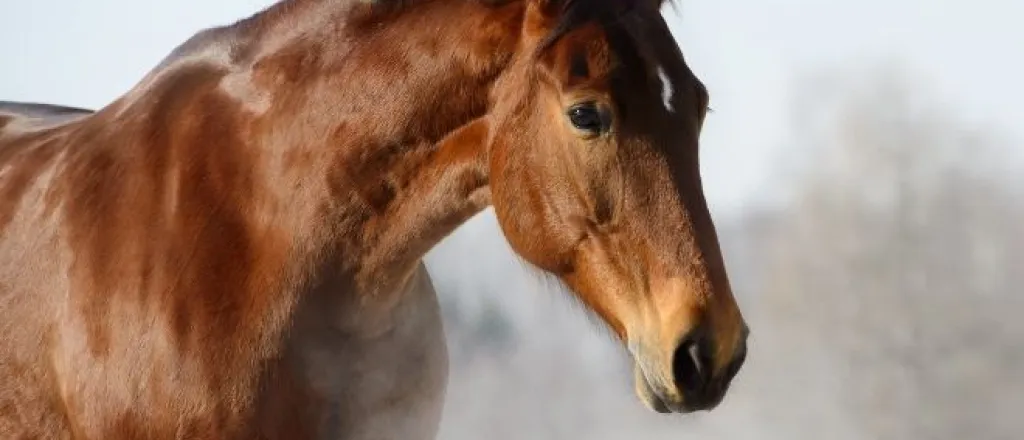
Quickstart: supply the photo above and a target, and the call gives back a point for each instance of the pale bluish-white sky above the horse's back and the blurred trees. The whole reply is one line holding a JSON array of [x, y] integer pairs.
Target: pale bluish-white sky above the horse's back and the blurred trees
[[750, 54]]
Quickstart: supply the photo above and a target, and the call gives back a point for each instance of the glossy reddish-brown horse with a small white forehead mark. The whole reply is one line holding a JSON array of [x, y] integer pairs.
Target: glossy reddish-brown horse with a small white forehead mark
[[233, 249]]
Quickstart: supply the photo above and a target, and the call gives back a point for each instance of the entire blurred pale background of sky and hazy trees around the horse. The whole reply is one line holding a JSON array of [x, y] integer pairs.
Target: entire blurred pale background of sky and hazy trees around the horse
[[865, 164]]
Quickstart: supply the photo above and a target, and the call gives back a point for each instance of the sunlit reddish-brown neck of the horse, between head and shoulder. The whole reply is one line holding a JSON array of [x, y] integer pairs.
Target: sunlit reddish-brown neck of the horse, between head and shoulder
[[366, 128]]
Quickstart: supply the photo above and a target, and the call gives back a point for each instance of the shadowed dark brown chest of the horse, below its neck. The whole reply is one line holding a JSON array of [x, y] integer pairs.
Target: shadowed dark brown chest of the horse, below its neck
[[373, 376]]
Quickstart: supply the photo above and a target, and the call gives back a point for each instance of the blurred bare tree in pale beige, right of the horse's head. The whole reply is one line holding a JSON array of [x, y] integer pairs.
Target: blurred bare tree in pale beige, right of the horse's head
[[901, 260]]
